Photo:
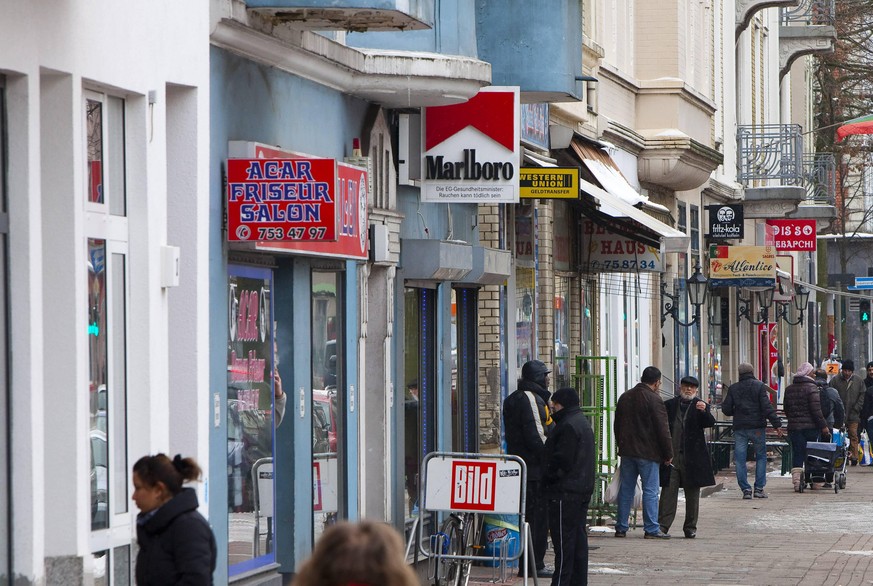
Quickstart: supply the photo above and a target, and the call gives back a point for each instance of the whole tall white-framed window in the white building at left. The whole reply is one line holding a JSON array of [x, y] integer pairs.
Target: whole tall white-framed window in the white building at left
[[106, 255]]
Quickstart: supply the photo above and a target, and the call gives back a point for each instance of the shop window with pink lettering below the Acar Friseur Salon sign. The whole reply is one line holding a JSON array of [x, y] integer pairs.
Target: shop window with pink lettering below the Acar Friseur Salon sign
[[251, 419]]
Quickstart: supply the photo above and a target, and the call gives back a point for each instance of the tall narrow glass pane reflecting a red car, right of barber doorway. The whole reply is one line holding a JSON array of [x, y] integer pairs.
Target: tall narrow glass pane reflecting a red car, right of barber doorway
[[328, 399]]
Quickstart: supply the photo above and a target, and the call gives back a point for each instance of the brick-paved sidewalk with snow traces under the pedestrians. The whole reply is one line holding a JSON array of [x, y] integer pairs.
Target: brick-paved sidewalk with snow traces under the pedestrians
[[811, 539]]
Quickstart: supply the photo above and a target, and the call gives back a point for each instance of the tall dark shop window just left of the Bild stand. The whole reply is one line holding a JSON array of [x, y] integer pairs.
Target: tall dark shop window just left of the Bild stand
[[419, 367]]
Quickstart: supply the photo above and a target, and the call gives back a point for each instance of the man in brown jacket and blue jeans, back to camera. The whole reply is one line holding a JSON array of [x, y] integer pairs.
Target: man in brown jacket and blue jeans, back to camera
[[642, 434]]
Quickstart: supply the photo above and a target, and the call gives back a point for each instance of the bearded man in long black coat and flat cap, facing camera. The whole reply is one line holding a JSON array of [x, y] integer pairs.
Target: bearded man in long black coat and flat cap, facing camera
[[691, 468]]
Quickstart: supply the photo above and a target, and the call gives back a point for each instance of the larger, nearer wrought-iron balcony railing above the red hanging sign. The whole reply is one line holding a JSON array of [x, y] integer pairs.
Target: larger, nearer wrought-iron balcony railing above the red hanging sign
[[770, 154]]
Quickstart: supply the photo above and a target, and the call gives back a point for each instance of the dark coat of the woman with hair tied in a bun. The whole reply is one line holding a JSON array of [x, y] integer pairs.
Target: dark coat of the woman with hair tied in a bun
[[176, 545]]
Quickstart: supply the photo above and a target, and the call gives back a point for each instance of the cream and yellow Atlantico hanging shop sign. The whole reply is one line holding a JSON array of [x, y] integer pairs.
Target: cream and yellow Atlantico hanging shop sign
[[742, 266]]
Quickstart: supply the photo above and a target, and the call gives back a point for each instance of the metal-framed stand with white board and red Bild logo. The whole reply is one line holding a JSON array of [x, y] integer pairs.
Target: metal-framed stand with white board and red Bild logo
[[463, 483]]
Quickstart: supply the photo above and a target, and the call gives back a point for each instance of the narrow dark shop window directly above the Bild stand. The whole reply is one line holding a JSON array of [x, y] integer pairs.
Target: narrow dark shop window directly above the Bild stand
[[465, 405]]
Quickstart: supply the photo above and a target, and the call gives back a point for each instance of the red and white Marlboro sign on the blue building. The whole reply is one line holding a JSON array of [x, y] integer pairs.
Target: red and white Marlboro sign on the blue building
[[471, 150]]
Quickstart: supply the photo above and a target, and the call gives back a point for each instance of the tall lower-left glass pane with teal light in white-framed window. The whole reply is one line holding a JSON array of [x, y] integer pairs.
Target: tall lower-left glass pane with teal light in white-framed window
[[98, 393]]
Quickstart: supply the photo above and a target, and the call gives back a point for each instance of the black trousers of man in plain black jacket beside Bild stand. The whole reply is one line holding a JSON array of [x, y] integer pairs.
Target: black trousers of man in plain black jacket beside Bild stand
[[567, 518]]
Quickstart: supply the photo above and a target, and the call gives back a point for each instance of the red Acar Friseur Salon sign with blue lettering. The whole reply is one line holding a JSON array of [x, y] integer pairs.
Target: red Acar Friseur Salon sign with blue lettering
[[281, 199]]
